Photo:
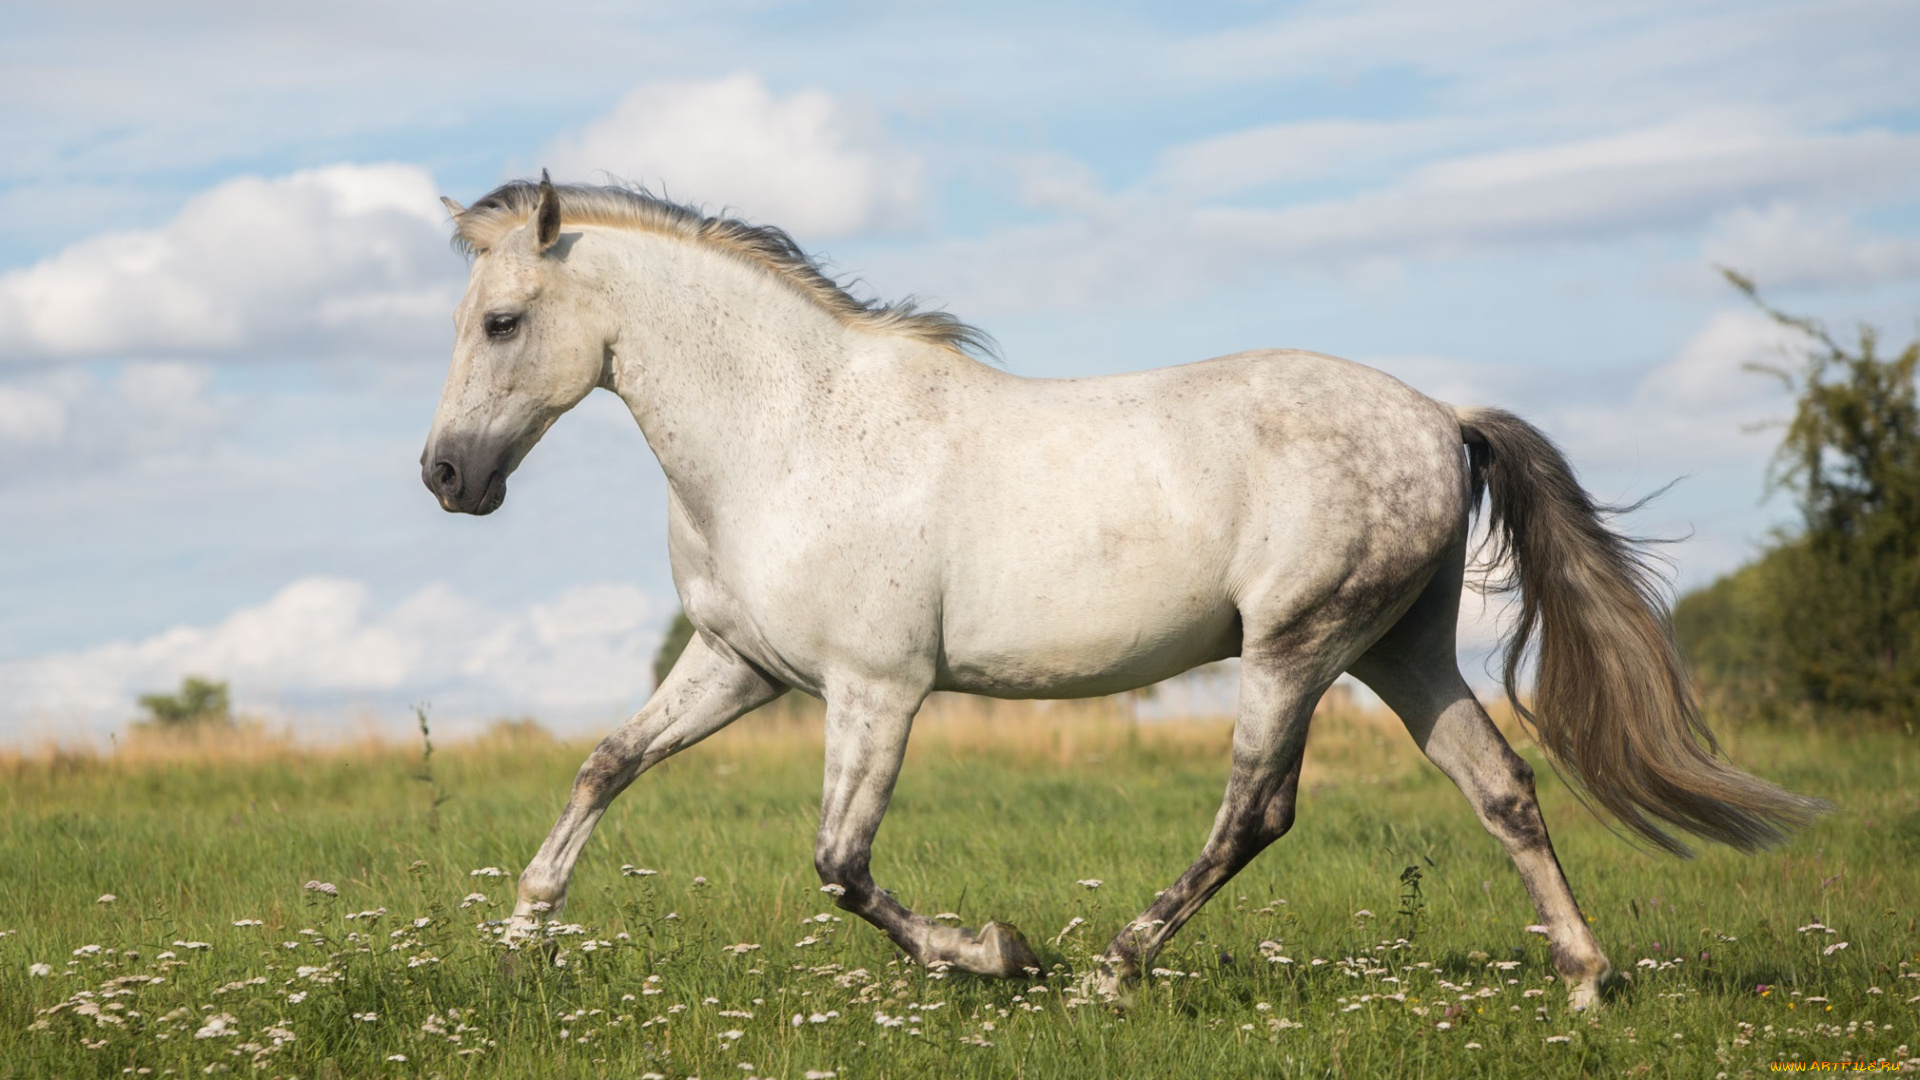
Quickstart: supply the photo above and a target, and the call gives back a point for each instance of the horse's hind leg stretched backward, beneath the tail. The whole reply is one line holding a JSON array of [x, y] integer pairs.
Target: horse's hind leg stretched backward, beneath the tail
[[1414, 670]]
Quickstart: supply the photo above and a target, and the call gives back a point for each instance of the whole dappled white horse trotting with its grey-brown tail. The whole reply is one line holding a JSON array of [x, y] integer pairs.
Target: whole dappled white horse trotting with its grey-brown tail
[[863, 512]]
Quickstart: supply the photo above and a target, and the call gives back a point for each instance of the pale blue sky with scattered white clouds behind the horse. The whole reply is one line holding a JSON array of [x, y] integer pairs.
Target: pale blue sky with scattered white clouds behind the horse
[[226, 282]]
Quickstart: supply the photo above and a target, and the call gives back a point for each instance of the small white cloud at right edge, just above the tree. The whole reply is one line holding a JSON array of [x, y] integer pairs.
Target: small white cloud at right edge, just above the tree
[[1788, 247]]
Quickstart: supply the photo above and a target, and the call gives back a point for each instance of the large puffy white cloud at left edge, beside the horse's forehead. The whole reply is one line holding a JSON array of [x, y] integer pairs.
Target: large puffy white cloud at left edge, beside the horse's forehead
[[339, 258]]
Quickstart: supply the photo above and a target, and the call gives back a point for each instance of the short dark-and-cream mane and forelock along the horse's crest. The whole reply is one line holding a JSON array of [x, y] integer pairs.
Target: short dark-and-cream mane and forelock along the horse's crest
[[512, 205]]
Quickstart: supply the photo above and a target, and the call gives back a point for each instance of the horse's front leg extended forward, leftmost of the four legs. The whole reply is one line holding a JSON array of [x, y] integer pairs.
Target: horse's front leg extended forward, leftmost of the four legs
[[706, 693]]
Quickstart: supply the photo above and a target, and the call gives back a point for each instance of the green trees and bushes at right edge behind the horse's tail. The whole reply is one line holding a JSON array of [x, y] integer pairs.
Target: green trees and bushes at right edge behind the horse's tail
[[1829, 614]]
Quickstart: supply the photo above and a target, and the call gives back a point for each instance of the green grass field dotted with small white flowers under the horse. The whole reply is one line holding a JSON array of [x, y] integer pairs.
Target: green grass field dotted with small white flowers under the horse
[[212, 956]]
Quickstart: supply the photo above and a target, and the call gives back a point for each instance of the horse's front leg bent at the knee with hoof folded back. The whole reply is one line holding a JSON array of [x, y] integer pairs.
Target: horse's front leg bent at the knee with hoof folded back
[[867, 739]]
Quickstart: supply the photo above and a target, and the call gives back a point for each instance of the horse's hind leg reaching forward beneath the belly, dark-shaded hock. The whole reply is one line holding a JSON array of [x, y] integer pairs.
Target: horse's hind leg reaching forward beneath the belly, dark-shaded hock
[[1278, 697]]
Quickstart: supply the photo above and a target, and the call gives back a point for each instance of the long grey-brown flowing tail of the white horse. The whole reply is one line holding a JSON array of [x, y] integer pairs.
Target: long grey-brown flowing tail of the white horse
[[1612, 699]]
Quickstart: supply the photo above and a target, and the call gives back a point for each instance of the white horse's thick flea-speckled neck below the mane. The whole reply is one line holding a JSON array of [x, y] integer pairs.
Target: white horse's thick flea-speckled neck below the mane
[[719, 362]]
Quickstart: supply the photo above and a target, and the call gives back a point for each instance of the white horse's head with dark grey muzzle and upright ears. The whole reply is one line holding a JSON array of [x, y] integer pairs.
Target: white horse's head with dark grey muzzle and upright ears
[[529, 347]]
